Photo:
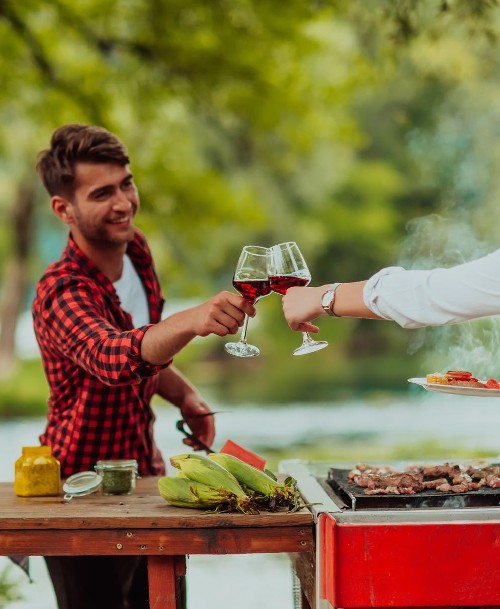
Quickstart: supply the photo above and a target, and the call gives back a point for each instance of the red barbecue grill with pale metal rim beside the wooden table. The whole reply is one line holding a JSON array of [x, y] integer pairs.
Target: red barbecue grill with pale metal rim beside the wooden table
[[432, 549]]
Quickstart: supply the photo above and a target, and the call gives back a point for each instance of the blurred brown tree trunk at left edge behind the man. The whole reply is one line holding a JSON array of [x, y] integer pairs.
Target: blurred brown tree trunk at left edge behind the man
[[16, 274]]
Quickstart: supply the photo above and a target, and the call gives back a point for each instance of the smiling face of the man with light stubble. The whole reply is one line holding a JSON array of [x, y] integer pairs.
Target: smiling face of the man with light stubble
[[104, 204]]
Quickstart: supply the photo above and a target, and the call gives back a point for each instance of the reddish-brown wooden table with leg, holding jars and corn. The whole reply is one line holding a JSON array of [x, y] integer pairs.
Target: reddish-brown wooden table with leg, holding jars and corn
[[143, 524]]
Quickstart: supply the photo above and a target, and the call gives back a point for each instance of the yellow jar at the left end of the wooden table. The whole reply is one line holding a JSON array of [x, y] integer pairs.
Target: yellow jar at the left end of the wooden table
[[37, 473]]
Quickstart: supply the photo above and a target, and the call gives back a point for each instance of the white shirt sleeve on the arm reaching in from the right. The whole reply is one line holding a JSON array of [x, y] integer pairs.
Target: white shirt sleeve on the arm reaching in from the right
[[436, 297]]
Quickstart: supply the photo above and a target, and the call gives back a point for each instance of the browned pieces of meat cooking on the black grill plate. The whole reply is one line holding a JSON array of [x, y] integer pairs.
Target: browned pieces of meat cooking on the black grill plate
[[446, 478]]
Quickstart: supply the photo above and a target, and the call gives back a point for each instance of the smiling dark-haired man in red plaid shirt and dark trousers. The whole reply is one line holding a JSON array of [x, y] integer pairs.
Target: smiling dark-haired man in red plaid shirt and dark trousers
[[105, 350]]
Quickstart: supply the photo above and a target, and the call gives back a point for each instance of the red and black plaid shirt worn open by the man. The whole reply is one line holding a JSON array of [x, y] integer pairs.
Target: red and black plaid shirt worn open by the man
[[100, 388]]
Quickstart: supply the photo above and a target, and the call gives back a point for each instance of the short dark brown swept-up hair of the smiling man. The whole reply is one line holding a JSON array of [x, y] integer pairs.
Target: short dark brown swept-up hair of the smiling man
[[75, 143]]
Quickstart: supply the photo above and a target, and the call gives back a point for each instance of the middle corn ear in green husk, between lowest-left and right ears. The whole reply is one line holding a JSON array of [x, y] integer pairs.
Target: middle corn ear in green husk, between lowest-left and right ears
[[204, 470]]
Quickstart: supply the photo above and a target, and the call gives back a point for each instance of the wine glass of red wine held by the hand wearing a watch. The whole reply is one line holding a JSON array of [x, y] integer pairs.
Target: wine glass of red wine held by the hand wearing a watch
[[287, 268]]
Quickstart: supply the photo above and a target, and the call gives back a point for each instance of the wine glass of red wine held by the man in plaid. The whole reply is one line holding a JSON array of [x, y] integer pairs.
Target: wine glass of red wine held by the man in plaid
[[251, 280]]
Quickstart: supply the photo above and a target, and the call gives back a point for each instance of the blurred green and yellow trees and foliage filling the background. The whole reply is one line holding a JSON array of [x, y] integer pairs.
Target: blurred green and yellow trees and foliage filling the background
[[370, 137]]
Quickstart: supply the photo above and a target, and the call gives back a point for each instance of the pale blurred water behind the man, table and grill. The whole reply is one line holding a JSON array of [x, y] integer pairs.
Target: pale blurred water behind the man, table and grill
[[214, 582]]
